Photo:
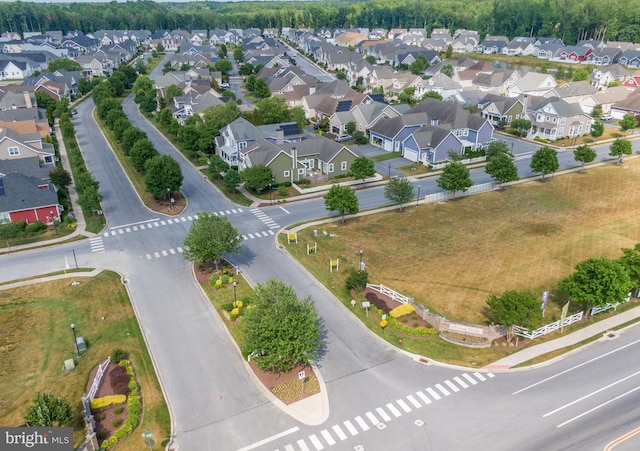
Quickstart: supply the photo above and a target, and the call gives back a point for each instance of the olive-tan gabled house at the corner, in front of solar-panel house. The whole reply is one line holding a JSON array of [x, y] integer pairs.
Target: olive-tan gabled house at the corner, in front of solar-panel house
[[317, 159]]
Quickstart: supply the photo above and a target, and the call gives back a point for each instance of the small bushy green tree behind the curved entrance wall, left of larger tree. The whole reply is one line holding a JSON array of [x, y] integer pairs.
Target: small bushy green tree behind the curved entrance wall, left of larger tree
[[515, 308]]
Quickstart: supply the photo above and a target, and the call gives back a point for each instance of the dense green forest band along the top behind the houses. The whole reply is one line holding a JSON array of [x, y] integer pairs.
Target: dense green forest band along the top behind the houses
[[571, 20]]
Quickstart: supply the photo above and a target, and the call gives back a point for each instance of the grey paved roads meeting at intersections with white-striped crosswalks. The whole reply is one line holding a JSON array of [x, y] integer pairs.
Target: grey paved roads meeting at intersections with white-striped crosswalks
[[368, 382]]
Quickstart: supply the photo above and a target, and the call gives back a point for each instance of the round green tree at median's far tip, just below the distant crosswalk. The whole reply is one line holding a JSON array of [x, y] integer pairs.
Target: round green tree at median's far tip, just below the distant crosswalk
[[210, 238]]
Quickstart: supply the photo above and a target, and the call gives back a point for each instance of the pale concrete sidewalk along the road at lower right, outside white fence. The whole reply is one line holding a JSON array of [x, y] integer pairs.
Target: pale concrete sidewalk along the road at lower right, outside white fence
[[603, 327]]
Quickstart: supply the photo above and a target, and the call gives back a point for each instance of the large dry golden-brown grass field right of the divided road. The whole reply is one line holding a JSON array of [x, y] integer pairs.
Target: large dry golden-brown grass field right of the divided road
[[451, 256]]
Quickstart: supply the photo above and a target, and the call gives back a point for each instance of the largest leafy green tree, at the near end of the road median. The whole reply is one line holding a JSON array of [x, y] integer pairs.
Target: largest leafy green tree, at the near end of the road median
[[283, 330]]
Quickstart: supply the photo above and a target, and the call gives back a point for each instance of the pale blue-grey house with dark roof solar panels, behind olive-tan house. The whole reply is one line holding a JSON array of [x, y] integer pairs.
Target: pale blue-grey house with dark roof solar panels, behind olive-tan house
[[242, 133]]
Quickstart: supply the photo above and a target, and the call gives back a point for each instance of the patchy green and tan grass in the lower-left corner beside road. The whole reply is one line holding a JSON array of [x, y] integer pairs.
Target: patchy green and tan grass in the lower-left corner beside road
[[36, 338]]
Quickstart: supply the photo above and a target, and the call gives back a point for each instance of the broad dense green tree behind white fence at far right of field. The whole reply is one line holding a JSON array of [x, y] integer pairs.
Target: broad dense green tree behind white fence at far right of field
[[597, 282]]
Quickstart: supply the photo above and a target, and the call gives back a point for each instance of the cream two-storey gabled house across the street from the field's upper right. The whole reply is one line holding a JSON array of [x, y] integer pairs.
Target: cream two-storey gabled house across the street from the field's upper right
[[553, 118]]
